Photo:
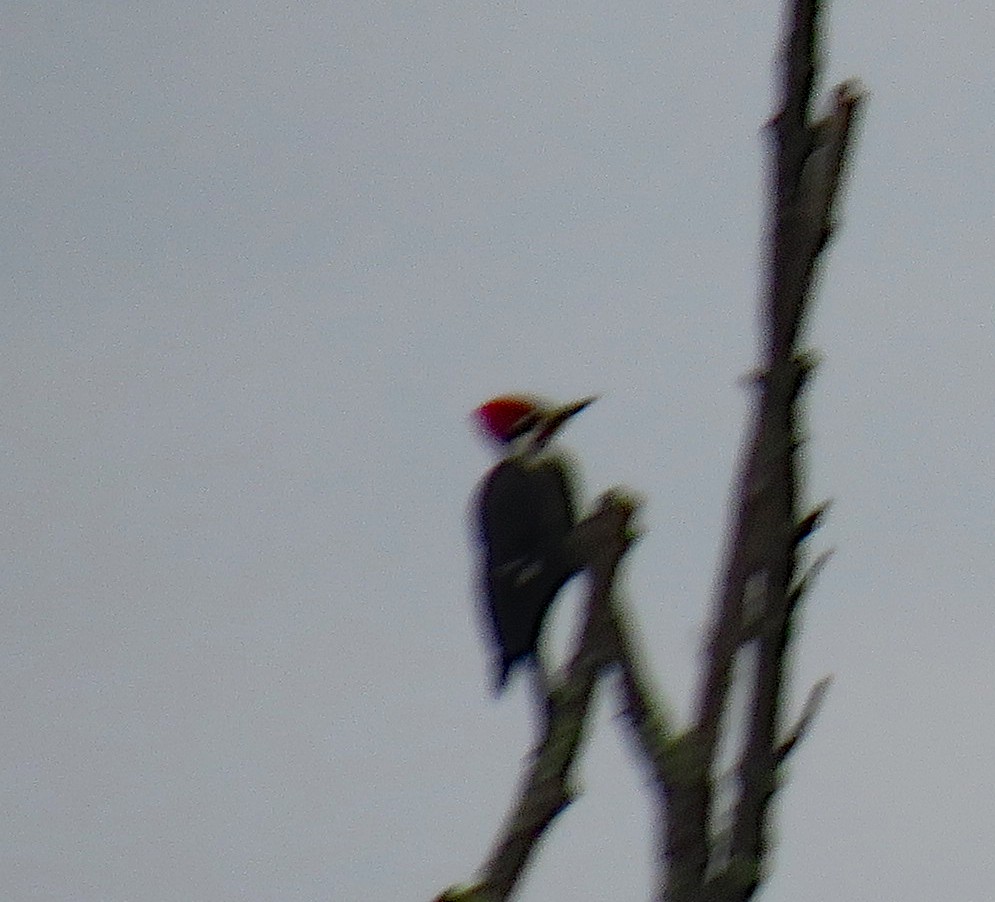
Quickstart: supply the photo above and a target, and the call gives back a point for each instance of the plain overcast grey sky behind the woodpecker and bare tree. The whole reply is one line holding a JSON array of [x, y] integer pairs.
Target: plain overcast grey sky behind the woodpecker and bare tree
[[259, 264]]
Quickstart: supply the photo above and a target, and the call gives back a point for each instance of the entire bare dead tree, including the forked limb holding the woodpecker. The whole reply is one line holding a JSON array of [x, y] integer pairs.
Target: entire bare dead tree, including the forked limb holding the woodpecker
[[707, 854]]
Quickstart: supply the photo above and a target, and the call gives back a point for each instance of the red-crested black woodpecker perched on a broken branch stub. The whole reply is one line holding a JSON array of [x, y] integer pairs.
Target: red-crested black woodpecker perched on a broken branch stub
[[526, 511]]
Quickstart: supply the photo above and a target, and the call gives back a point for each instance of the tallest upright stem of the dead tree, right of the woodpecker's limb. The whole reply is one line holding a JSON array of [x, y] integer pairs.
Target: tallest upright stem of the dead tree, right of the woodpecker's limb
[[760, 590]]
